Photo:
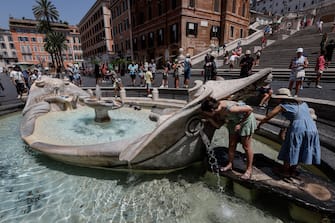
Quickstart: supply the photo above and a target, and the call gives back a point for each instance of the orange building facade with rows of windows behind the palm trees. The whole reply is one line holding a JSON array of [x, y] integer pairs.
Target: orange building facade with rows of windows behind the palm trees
[[29, 44]]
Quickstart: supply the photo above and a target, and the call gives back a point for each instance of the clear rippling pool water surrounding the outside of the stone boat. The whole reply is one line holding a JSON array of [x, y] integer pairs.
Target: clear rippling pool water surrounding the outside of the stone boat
[[34, 188]]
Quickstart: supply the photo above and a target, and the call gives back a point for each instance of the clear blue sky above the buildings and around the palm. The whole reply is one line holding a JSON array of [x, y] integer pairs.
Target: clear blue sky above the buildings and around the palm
[[71, 11]]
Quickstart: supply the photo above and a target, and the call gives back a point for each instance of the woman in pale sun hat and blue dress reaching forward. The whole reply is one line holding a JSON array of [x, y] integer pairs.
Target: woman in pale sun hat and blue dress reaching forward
[[301, 143]]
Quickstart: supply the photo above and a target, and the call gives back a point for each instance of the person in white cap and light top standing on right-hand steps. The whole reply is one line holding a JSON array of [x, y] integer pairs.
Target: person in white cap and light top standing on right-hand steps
[[297, 66]]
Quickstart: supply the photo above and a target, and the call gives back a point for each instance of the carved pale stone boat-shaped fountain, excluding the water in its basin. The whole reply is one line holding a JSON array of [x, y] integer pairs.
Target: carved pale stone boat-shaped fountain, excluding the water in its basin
[[173, 143]]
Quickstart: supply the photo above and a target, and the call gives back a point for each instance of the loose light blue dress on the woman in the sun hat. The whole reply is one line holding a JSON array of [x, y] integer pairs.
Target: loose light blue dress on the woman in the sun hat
[[301, 144]]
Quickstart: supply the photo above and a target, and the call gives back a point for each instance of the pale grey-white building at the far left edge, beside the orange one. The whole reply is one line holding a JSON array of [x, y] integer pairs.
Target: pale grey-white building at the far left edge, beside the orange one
[[8, 54]]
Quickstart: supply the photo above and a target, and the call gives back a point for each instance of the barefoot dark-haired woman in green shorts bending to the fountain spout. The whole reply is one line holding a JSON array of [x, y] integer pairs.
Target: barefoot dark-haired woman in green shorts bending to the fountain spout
[[241, 126]]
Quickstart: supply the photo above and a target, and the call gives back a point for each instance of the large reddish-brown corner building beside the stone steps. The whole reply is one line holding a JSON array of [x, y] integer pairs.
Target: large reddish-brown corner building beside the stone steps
[[158, 28]]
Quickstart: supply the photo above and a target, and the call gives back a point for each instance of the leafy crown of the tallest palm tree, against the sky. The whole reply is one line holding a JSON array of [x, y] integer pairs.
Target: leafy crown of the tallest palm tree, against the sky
[[45, 12]]
